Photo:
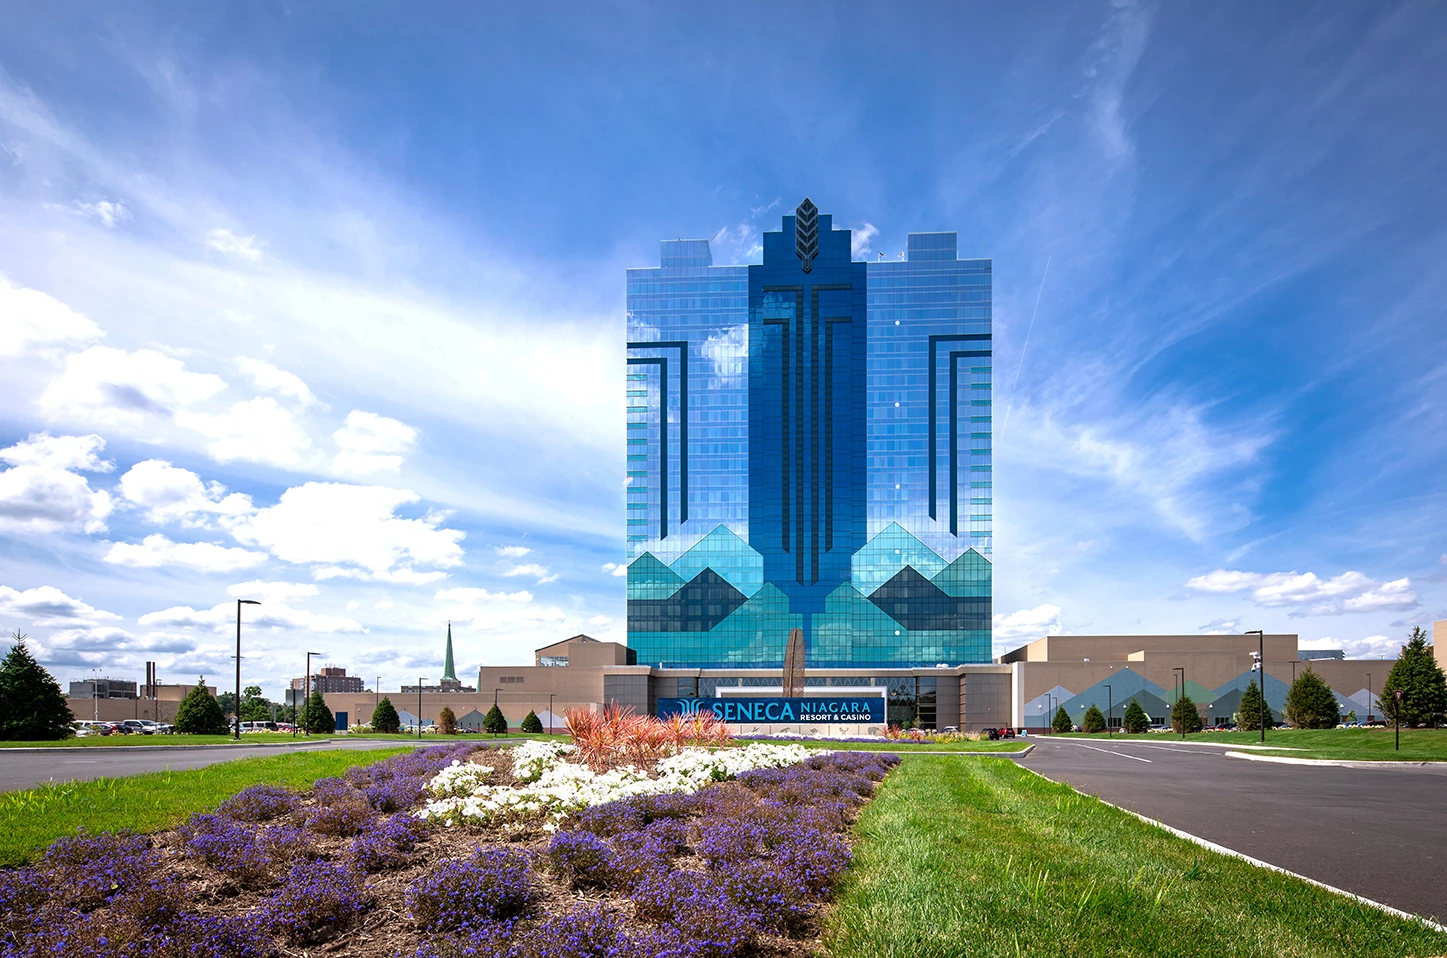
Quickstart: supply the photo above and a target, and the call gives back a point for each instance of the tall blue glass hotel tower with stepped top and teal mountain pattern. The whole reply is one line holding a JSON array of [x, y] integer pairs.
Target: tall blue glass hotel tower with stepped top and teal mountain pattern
[[810, 448]]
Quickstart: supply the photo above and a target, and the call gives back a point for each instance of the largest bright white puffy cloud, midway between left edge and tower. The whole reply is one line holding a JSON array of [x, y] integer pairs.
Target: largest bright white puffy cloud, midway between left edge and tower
[[351, 527]]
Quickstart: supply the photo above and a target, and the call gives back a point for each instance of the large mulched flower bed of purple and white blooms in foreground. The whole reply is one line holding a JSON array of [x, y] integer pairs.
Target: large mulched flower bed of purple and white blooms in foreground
[[361, 866]]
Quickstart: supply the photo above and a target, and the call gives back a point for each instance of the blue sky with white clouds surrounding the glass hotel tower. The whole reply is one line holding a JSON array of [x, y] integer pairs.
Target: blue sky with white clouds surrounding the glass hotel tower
[[323, 305]]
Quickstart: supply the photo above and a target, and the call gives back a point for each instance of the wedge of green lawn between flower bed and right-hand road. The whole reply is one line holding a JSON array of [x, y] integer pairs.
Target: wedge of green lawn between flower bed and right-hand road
[[983, 859]]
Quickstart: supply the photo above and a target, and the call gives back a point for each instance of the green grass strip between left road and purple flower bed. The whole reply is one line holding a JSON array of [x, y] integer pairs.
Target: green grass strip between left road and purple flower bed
[[31, 820]]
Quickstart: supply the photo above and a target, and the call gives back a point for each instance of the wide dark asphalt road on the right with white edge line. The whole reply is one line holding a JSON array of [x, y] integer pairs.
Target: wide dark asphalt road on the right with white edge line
[[1380, 833]]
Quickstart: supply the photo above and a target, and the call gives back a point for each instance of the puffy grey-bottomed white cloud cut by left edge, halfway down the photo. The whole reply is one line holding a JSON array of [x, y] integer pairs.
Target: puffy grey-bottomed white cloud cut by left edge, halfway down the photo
[[40, 493]]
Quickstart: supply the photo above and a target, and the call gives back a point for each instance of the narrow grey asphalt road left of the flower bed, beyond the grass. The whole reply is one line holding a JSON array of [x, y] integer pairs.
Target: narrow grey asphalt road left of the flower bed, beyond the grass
[[24, 769]]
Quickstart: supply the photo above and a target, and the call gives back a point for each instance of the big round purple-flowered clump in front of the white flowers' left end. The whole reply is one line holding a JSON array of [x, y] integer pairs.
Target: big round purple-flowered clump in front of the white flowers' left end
[[493, 885]]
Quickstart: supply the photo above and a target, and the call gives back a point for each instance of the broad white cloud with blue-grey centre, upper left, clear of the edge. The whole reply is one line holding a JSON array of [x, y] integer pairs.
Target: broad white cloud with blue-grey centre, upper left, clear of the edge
[[112, 387]]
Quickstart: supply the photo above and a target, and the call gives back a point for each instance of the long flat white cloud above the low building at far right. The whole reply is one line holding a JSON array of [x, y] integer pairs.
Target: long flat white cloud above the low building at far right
[[1349, 593]]
